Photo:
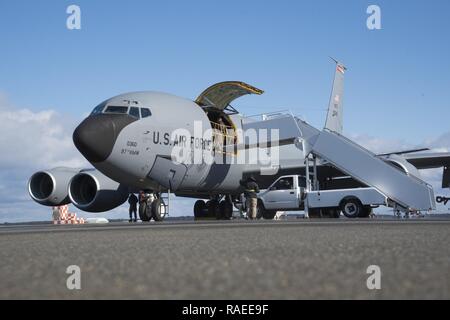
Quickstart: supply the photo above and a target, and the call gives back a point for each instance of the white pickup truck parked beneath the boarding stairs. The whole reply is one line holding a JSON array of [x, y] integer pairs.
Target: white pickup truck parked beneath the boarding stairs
[[288, 193]]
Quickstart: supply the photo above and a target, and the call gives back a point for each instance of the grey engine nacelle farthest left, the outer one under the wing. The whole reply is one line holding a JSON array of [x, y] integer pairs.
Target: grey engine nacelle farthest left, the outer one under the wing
[[50, 187]]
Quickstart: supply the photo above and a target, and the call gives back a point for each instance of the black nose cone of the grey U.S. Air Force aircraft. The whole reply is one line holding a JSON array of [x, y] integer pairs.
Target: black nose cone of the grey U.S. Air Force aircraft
[[96, 135]]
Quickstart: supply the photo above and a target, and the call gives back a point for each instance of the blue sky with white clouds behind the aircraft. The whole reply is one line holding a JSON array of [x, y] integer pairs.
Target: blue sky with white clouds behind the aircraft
[[397, 87]]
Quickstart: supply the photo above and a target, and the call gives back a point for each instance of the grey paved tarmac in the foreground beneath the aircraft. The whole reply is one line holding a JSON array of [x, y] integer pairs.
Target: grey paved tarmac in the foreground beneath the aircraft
[[301, 259]]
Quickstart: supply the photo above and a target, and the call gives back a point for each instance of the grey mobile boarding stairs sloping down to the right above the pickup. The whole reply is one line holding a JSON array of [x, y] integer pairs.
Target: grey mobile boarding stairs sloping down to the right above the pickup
[[404, 191]]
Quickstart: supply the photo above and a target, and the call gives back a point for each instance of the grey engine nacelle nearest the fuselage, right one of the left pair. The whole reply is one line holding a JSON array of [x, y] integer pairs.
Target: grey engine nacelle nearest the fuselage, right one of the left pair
[[92, 191]]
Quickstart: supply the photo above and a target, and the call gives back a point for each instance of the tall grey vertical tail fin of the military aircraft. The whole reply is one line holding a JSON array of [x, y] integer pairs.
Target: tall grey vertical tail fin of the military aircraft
[[336, 106]]
